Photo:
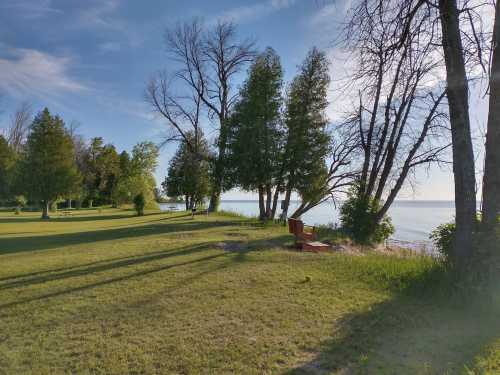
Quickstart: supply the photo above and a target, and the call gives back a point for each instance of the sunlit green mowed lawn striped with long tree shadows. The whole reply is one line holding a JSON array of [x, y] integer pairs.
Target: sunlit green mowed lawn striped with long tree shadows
[[105, 292]]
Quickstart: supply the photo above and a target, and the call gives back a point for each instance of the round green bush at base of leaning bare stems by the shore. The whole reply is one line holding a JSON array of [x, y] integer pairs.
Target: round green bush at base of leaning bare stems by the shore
[[358, 219]]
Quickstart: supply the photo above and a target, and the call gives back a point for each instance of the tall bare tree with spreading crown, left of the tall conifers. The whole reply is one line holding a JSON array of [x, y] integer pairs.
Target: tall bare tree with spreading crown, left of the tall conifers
[[209, 59]]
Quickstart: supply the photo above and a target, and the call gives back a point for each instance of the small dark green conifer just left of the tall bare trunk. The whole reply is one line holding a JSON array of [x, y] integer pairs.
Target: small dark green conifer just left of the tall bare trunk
[[188, 174]]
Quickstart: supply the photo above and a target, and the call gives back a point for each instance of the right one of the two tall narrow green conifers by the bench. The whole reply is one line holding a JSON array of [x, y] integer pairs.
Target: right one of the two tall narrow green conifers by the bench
[[307, 141]]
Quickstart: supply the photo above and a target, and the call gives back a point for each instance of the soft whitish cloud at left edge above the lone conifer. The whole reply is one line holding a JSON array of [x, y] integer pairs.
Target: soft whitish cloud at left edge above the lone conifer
[[29, 72]]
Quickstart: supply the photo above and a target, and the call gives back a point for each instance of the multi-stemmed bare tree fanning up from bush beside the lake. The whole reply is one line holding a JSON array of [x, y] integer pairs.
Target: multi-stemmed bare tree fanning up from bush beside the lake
[[400, 119]]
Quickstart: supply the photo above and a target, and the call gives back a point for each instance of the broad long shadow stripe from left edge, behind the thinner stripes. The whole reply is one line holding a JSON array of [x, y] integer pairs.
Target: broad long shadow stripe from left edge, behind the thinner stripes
[[36, 243]]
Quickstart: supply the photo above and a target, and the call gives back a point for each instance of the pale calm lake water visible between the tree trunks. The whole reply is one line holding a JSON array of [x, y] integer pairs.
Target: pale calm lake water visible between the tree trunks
[[413, 220]]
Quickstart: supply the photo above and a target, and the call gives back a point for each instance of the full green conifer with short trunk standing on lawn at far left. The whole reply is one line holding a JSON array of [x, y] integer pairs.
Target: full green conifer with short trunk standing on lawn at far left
[[48, 168]]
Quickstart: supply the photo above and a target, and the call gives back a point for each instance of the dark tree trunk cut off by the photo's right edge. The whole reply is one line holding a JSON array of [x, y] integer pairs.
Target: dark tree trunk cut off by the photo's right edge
[[491, 179]]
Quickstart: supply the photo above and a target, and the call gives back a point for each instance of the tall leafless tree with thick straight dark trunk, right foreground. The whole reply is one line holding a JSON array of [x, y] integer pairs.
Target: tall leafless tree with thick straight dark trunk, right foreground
[[455, 28]]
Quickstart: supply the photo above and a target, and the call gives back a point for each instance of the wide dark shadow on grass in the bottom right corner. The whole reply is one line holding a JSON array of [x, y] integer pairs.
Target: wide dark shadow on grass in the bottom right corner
[[405, 335]]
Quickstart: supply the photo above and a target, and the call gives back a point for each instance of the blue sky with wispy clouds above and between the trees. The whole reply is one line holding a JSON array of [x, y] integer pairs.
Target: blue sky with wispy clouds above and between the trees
[[89, 61]]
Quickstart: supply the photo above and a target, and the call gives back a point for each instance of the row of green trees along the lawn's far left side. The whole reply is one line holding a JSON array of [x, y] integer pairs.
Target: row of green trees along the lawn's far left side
[[44, 162]]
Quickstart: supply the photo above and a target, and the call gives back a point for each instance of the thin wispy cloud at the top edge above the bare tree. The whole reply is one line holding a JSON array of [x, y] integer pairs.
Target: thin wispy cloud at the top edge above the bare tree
[[245, 14]]
